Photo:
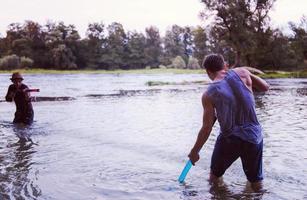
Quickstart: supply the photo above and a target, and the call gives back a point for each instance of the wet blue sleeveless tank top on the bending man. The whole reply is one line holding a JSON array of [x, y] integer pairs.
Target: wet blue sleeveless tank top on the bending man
[[235, 108]]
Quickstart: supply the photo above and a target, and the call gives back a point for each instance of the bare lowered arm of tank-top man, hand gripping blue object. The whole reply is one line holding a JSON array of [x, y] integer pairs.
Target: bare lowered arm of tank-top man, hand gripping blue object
[[204, 132]]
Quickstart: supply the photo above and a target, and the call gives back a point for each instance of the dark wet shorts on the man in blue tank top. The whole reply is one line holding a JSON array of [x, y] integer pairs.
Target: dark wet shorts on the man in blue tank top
[[229, 149]]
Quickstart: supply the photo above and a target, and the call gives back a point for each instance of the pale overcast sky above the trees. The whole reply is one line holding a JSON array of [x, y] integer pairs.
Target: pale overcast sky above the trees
[[133, 14]]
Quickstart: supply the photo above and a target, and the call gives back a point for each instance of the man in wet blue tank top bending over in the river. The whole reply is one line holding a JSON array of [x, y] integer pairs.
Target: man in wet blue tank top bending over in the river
[[229, 99]]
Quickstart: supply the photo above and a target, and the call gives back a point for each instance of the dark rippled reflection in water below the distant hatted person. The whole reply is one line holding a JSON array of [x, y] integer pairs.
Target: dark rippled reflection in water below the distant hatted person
[[16, 162]]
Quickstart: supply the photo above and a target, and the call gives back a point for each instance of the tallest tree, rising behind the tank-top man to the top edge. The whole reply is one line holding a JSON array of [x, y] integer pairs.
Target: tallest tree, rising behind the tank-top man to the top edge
[[238, 22]]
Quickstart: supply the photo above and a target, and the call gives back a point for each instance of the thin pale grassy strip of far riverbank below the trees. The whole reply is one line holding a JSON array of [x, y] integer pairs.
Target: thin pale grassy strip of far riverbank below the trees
[[267, 74]]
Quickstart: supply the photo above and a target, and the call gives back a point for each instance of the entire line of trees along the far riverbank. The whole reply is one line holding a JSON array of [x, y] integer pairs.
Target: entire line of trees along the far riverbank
[[239, 29]]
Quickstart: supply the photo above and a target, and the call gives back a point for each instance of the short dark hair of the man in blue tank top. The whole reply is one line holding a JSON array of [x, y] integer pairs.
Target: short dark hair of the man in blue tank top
[[213, 62]]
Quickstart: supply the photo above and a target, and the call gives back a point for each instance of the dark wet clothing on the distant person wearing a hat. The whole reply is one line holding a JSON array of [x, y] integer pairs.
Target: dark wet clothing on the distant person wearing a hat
[[24, 110]]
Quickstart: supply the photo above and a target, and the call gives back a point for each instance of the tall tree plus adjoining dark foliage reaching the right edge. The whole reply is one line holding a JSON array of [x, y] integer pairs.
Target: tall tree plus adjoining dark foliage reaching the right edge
[[241, 30]]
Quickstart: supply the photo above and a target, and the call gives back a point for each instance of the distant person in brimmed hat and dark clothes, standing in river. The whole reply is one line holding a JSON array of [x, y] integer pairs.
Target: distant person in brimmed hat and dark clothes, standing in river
[[19, 93]]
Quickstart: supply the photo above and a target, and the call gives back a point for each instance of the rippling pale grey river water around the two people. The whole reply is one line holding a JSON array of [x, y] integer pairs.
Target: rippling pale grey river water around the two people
[[105, 137]]
